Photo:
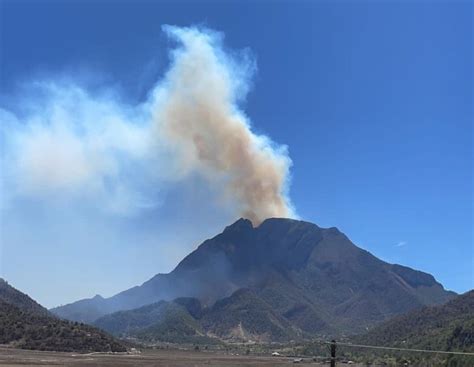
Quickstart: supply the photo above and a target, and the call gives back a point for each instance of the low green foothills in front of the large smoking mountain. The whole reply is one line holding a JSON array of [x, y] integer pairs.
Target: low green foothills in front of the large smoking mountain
[[242, 316]]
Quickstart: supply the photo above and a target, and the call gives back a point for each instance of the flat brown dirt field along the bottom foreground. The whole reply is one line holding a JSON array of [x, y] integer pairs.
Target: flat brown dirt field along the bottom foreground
[[162, 358]]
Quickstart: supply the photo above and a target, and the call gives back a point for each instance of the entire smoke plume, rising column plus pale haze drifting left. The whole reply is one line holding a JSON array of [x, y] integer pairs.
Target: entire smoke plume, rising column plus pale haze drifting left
[[75, 144]]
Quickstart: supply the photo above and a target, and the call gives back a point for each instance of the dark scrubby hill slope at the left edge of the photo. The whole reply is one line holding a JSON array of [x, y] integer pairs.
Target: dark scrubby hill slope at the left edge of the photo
[[26, 324]]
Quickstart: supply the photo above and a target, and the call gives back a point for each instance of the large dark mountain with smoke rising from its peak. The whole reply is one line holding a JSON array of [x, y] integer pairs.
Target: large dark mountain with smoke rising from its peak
[[314, 278]]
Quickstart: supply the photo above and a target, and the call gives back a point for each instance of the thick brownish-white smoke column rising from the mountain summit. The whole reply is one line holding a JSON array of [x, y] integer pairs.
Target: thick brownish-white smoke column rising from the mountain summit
[[200, 115]]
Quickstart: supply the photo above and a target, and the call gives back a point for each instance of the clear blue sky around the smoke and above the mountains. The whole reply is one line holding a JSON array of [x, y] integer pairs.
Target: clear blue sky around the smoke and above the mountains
[[373, 100]]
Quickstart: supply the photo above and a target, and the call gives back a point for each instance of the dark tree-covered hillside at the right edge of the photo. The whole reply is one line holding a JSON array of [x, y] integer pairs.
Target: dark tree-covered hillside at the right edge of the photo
[[448, 327]]
